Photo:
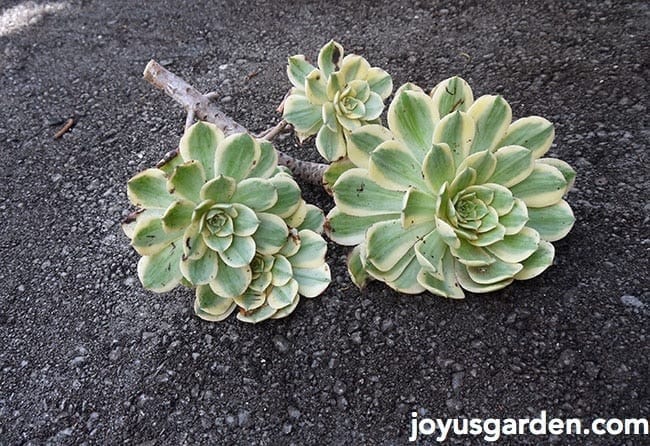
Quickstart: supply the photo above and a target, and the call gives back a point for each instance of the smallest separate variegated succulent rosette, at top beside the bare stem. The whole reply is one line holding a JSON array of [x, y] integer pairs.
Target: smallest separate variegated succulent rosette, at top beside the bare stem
[[342, 94]]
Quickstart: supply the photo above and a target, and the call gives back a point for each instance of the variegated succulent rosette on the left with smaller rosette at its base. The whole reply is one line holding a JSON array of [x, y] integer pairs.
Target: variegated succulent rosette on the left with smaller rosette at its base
[[221, 217]]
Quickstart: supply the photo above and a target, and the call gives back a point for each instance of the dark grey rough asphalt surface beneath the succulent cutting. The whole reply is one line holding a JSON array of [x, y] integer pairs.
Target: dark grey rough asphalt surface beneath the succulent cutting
[[87, 356]]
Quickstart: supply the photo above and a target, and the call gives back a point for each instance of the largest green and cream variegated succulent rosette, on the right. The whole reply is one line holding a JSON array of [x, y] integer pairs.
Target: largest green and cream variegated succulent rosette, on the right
[[454, 196]]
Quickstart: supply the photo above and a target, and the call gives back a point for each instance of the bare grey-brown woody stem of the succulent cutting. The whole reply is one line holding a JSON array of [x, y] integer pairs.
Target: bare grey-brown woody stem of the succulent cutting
[[203, 108]]
